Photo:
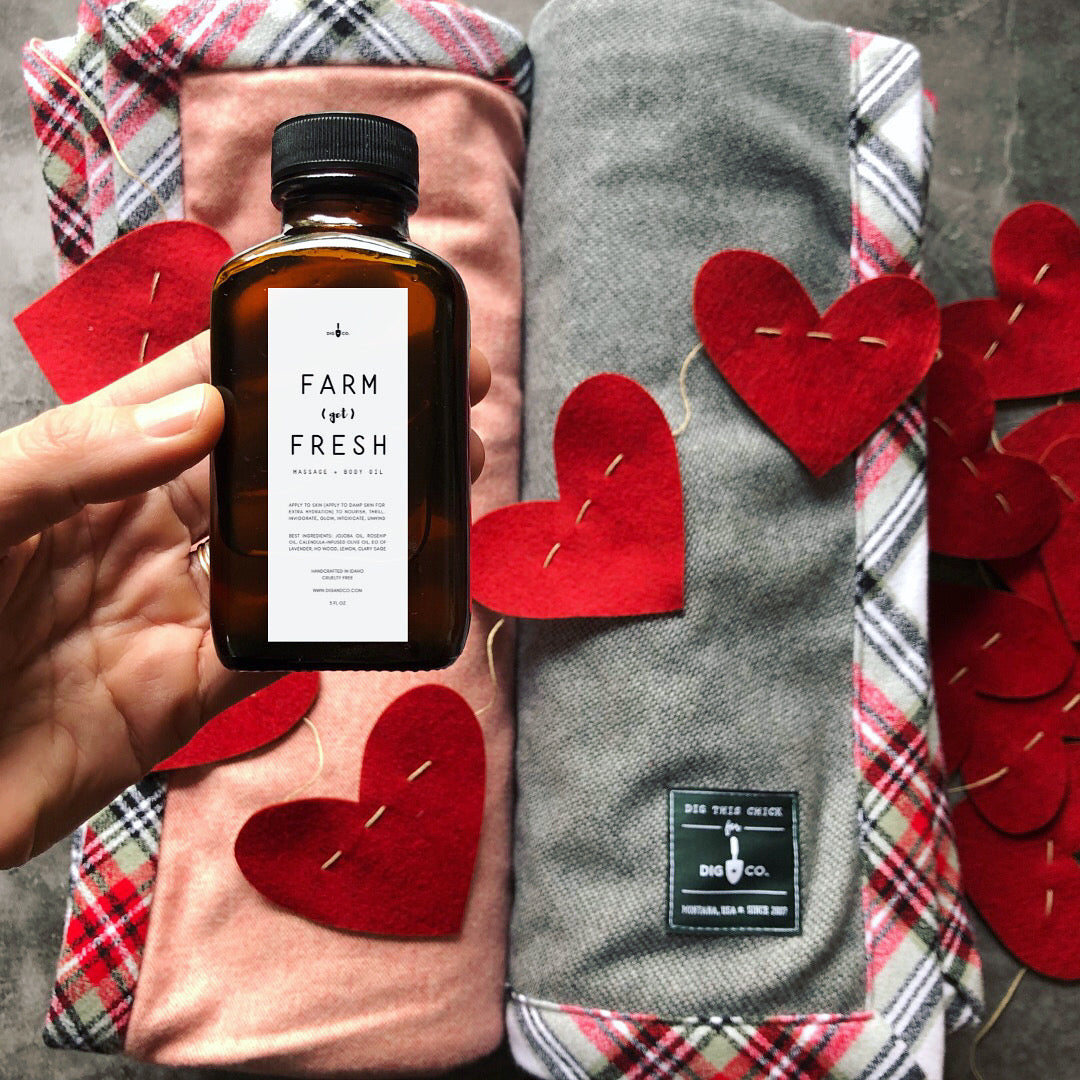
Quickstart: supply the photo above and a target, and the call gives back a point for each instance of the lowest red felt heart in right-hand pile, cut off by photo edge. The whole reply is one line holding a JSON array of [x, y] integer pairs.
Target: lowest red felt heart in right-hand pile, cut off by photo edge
[[1028, 888]]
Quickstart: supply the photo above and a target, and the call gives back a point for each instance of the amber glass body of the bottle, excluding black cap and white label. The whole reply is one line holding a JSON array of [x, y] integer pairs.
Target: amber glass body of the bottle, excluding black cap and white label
[[343, 241]]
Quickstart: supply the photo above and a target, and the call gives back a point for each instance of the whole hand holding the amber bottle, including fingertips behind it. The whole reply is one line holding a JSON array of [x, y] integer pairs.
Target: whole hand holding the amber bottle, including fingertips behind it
[[106, 659]]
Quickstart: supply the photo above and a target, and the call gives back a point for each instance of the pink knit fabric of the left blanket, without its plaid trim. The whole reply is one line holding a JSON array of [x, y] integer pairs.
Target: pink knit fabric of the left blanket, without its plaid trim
[[228, 978]]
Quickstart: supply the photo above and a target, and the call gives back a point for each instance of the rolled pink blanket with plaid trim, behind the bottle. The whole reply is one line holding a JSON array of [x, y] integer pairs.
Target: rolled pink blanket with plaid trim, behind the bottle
[[207, 970]]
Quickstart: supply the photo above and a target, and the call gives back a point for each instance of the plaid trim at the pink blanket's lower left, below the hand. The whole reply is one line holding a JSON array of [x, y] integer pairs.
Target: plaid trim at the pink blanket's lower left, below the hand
[[114, 863]]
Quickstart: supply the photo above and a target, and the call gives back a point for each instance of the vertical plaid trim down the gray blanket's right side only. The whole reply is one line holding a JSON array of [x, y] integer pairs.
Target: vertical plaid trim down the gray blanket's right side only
[[917, 930]]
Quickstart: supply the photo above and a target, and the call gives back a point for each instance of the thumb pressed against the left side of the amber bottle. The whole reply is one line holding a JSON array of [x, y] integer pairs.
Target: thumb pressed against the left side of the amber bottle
[[57, 464]]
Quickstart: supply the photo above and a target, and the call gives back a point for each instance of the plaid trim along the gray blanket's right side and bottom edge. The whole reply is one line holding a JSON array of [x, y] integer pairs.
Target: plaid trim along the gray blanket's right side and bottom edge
[[923, 971]]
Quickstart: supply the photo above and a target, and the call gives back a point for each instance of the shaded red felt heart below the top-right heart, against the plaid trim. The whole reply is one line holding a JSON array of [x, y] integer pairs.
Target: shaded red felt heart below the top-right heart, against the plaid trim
[[982, 504]]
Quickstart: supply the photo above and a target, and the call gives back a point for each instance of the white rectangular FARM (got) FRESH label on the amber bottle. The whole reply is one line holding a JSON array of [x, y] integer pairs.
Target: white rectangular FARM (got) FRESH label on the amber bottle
[[337, 456]]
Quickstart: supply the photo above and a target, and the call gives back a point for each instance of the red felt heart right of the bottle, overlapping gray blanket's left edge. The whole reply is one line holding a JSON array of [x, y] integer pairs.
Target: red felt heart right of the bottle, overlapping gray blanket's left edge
[[614, 543]]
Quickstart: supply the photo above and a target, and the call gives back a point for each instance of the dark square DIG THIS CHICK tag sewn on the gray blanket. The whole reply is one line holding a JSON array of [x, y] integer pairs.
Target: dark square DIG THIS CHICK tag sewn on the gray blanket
[[734, 862]]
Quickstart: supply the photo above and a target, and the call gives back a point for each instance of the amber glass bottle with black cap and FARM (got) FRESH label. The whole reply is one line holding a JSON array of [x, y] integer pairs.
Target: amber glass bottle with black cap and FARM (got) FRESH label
[[340, 519]]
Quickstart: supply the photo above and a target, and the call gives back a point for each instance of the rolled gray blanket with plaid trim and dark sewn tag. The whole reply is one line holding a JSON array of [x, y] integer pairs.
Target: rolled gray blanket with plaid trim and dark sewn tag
[[663, 134]]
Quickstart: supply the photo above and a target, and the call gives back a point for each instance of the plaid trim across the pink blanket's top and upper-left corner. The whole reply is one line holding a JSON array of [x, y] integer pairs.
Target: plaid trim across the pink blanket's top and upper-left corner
[[129, 58]]
